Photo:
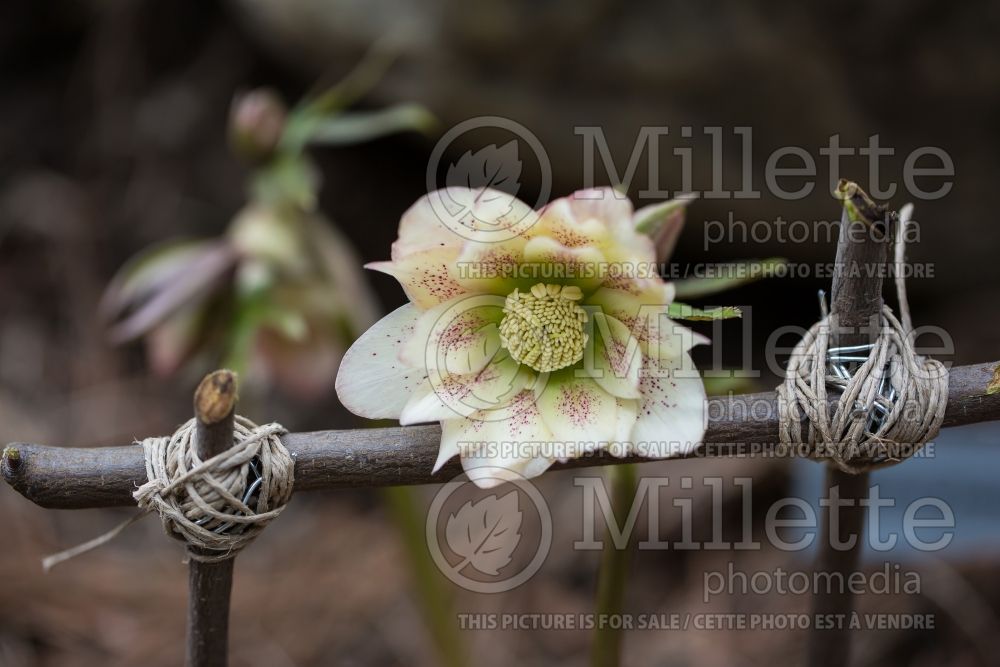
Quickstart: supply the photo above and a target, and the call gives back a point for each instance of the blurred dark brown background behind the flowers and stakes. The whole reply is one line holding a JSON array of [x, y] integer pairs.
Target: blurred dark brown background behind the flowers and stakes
[[112, 137]]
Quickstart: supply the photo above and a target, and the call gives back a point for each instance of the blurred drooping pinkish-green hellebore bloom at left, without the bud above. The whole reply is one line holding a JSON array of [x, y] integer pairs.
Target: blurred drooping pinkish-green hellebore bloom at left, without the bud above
[[278, 297]]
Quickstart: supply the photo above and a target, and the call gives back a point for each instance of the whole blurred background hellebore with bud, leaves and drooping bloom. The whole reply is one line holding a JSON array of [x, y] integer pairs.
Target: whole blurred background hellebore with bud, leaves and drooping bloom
[[279, 297]]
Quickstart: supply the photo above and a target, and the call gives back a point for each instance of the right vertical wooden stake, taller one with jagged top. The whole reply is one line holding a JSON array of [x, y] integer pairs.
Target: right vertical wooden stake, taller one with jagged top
[[862, 252]]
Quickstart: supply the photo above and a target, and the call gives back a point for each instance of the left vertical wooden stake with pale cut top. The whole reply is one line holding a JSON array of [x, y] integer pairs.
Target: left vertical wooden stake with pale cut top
[[210, 584]]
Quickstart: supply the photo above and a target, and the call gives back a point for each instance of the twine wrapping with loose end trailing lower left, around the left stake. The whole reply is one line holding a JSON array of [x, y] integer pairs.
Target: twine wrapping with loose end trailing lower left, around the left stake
[[201, 502]]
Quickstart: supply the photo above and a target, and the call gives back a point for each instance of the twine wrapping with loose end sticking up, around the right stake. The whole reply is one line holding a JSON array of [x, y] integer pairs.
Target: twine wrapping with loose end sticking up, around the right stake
[[914, 418]]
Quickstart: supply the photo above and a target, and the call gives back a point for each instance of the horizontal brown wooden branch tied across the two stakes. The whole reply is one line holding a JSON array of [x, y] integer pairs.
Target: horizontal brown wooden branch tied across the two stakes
[[78, 477]]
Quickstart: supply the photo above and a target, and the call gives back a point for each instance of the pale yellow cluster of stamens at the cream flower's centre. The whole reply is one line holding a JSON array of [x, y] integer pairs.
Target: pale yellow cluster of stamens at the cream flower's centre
[[543, 327]]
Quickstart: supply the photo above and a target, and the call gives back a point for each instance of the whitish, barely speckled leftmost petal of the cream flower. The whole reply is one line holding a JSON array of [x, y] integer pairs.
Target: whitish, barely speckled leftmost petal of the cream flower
[[372, 382]]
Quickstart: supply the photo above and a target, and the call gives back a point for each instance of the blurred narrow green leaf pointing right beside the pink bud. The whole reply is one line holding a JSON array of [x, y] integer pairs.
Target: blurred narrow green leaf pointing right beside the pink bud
[[345, 129]]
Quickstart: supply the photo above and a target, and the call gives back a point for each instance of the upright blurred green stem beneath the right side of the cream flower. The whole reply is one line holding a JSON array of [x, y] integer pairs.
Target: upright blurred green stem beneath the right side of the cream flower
[[606, 651]]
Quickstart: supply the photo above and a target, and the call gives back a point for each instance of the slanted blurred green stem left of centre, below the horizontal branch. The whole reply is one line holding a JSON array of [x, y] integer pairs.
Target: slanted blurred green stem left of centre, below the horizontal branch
[[432, 593]]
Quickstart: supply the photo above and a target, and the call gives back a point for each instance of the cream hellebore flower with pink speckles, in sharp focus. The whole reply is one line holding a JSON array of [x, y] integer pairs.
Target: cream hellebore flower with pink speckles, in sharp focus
[[532, 336]]
